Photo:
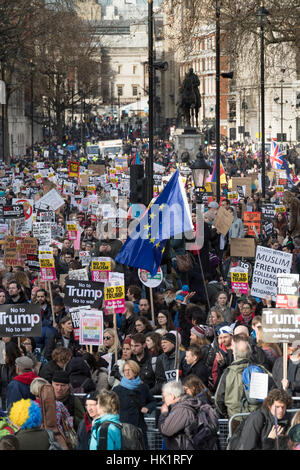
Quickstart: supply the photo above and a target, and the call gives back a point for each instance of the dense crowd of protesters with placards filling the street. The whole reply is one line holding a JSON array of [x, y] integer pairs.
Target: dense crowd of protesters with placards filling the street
[[102, 332]]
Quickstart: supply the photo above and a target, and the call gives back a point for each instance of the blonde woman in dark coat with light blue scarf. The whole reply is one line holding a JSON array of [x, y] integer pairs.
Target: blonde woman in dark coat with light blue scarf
[[136, 399]]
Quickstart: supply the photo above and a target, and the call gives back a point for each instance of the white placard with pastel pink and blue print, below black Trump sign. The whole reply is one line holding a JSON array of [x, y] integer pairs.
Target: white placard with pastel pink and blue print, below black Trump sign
[[91, 328]]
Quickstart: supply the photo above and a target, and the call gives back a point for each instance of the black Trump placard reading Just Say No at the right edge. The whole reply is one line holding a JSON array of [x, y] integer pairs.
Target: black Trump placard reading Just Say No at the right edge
[[280, 325]]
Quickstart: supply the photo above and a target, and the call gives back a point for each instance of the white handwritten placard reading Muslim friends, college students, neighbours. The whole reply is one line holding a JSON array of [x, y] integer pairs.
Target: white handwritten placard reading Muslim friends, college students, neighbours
[[268, 263]]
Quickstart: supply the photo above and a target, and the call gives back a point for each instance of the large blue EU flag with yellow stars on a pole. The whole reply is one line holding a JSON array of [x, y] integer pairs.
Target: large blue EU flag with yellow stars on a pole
[[168, 216]]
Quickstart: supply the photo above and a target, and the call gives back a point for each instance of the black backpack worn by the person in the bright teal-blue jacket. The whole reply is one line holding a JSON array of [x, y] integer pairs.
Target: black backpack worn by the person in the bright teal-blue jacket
[[132, 436]]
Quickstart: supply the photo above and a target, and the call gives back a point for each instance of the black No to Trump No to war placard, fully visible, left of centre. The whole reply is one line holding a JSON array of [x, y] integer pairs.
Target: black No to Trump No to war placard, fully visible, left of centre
[[83, 293]]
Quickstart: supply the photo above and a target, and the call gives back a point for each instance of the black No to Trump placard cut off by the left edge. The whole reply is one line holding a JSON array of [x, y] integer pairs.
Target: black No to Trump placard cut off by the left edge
[[20, 320]]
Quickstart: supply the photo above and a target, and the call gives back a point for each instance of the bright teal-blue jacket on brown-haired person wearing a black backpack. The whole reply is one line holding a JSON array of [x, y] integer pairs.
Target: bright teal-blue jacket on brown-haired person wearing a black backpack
[[114, 439]]
